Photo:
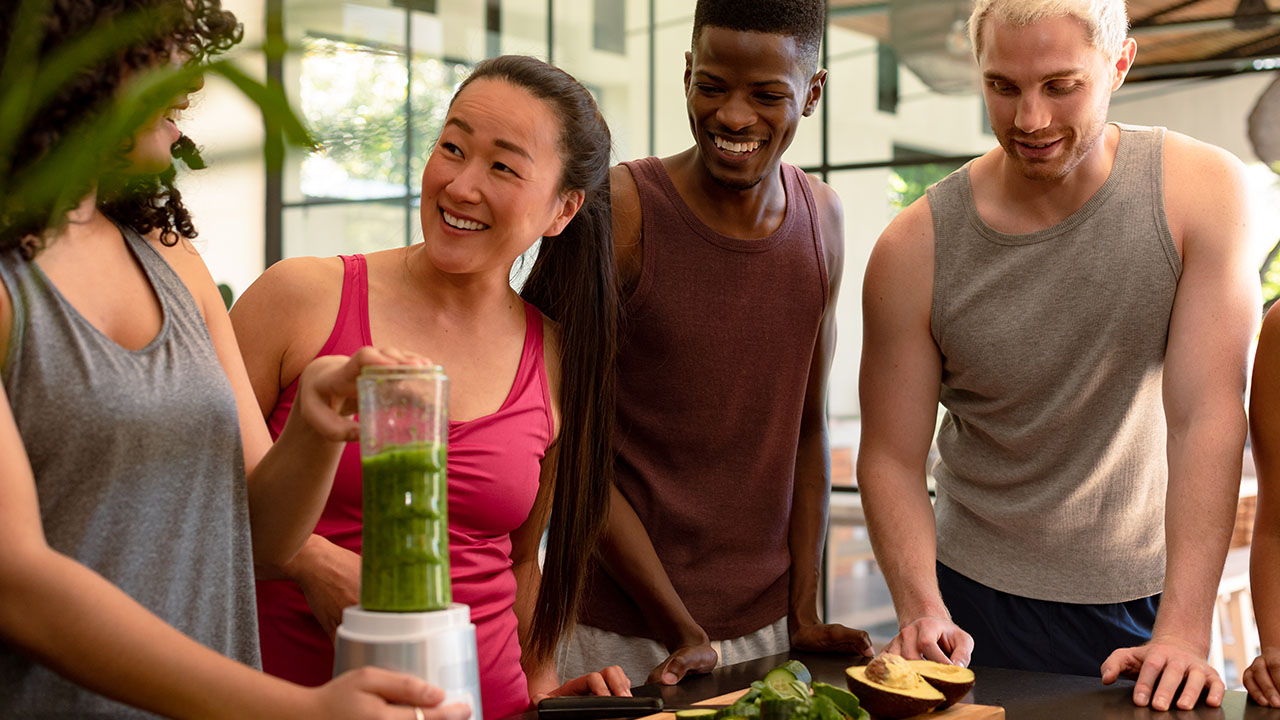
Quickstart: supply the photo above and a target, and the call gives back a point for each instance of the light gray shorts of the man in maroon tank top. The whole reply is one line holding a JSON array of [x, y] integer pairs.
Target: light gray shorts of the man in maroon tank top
[[588, 650]]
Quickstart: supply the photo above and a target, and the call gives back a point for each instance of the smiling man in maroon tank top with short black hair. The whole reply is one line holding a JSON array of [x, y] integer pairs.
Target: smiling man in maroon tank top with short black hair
[[729, 265]]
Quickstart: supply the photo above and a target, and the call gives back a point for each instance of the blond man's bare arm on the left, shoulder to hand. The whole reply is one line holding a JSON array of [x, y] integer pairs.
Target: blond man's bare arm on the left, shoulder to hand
[[899, 389]]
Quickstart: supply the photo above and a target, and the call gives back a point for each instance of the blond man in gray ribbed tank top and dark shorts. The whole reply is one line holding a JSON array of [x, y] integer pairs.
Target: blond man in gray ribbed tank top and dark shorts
[[1082, 302]]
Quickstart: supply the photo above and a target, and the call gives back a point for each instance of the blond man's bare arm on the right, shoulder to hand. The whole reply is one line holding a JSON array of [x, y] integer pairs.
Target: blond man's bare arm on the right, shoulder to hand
[[1214, 318]]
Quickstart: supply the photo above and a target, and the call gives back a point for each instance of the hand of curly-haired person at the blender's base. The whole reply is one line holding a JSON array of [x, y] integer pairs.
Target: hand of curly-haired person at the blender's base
[[376, 694]]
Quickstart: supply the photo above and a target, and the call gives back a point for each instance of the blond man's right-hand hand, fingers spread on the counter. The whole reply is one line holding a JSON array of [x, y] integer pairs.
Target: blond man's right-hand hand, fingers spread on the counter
[[1163, 666]]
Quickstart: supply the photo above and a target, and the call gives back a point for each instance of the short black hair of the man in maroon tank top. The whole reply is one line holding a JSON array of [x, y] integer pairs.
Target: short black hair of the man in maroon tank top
[[802, 20]]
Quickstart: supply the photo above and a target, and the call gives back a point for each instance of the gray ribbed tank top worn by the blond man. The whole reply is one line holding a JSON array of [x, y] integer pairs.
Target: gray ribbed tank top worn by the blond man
[[1053, 471]]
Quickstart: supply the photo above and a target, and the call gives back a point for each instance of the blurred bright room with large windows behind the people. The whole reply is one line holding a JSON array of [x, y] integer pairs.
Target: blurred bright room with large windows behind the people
[[902, 110]]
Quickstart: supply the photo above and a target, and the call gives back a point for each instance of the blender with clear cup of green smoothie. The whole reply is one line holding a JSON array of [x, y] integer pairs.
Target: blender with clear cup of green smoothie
[[406, 619]]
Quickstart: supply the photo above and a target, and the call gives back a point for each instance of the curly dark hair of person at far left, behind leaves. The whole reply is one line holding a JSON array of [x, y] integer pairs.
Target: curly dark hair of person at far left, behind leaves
[[194, 30]]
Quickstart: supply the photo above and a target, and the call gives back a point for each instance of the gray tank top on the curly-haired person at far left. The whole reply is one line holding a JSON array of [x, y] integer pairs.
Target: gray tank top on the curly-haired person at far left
[[139, 472]]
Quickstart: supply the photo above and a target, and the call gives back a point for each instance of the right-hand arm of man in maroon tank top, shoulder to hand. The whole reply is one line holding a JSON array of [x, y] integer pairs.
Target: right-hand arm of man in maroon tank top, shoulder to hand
[[812, 490]]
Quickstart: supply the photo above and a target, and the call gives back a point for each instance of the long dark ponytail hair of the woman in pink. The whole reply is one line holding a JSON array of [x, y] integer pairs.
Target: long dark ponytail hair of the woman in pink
[[573, 284]]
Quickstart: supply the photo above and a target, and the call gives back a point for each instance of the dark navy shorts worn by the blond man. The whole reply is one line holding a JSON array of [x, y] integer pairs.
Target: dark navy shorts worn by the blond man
[[1022, 634]]
